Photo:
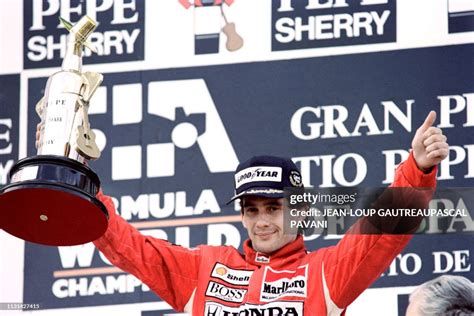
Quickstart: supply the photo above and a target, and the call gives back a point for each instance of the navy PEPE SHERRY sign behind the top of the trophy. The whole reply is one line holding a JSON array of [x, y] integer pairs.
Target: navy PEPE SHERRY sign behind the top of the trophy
[[119, 35]]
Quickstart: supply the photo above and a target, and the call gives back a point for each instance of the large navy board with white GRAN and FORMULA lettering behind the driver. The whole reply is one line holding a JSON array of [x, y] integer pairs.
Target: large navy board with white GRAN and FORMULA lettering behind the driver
[[331, 124]]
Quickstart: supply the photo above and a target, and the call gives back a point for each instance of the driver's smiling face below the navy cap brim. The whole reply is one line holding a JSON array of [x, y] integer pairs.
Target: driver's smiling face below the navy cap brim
[[263, 219]]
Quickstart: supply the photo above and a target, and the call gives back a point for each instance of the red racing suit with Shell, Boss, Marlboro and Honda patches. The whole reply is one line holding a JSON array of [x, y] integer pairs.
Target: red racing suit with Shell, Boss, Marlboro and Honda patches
[[219, 280]]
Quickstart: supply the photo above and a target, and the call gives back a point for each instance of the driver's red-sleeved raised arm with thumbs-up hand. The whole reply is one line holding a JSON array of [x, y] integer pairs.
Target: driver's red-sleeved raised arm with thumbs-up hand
[[360, 258]]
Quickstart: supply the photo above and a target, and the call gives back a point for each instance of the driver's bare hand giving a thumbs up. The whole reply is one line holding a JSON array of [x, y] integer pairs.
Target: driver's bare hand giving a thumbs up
[[429, 144]]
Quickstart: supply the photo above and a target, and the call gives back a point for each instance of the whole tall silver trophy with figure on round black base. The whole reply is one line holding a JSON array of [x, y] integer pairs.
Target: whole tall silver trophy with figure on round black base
[[50, 198]]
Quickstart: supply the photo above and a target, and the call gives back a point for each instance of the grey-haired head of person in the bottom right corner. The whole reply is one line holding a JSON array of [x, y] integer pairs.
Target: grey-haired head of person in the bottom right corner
[[448, 295]]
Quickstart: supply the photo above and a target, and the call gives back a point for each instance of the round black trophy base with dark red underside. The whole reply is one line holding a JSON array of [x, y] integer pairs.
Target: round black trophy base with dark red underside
[[51, 201]]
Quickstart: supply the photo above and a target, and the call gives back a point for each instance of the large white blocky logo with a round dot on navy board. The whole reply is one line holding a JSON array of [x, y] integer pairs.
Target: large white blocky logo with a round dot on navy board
[[166, 100]]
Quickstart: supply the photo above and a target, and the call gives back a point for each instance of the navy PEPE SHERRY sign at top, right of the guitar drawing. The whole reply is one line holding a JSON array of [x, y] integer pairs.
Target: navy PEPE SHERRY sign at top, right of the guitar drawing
[[313, 24]]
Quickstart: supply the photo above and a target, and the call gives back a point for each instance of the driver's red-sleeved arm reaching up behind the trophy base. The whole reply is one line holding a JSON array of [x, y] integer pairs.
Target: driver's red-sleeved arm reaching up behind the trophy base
[[169, 270]]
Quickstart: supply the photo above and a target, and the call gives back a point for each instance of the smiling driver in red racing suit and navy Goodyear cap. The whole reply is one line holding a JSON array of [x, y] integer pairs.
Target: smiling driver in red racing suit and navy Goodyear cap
[[275, 275]]
